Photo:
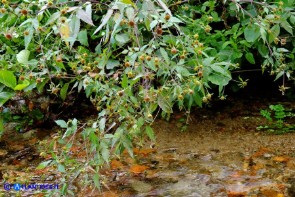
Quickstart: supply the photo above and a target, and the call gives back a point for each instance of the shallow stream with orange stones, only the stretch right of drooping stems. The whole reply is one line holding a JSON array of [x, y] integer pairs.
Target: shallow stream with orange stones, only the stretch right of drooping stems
[[220, 154]]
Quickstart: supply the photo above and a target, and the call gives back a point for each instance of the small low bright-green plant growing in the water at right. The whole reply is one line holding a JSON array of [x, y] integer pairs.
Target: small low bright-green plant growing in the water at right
[[276, 117]]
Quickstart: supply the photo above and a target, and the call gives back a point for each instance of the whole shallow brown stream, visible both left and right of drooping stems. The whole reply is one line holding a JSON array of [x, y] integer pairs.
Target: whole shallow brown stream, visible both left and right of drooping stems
[[219, 154]]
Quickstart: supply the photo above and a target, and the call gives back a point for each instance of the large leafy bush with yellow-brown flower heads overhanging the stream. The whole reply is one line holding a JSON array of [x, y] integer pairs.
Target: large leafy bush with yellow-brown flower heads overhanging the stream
[[145, 58]]
